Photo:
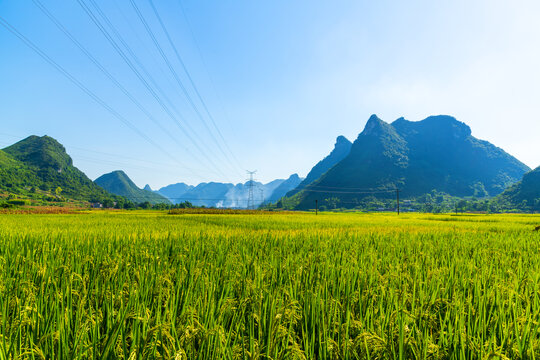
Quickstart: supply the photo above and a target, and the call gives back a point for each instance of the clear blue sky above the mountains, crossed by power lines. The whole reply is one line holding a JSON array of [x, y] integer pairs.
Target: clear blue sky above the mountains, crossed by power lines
[[281, 80]]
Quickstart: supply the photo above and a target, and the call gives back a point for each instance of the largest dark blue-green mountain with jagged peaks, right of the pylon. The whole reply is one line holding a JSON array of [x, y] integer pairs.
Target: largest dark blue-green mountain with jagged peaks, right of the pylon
[[437, 153]]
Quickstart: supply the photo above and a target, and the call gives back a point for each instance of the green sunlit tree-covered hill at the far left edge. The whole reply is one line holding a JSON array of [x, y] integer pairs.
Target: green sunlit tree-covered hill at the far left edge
[[38, 166]]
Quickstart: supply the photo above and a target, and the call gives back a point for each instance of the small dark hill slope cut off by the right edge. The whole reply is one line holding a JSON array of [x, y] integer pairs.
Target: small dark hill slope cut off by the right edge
[[524, 195]]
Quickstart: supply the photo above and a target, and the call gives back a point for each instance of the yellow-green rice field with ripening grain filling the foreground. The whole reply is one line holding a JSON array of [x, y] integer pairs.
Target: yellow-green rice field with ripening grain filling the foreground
[[151, 285]]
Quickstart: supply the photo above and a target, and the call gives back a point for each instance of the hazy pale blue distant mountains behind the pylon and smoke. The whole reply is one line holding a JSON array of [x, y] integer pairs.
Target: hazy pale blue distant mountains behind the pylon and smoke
[[216, 194]]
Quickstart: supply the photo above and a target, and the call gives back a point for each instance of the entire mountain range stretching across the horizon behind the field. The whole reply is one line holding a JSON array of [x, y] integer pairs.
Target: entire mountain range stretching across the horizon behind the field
[[438, 154]]
